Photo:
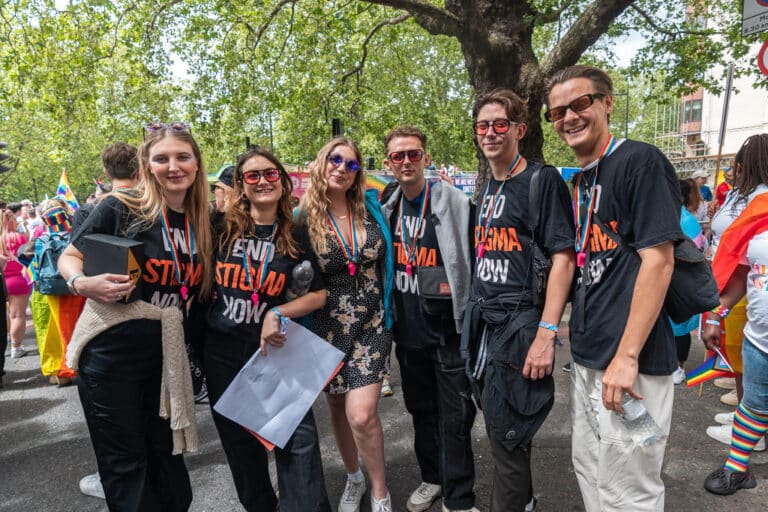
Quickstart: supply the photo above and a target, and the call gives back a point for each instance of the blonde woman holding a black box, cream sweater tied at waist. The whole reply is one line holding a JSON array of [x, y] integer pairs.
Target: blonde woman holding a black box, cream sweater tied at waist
[[133, 374]]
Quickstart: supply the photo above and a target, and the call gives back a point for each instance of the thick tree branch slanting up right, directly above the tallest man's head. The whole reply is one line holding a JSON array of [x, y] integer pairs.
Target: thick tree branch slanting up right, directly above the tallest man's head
[[587, 29]]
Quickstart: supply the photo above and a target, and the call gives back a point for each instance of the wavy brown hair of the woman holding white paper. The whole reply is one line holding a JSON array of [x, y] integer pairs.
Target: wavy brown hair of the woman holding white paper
[[237, 217]]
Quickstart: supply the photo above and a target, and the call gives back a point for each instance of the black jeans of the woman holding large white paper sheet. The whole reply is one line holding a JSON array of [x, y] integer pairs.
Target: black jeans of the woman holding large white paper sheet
[[299, 465]]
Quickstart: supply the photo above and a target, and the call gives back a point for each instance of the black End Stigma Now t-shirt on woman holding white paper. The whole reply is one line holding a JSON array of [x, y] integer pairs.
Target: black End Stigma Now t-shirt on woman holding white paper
[[233, 313]]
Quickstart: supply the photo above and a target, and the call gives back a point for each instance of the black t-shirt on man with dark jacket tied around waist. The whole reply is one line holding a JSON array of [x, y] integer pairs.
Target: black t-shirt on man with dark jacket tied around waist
[[506, 265]]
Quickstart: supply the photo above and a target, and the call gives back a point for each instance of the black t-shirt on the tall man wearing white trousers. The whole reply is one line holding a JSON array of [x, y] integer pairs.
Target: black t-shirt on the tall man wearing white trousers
[[638, 196]]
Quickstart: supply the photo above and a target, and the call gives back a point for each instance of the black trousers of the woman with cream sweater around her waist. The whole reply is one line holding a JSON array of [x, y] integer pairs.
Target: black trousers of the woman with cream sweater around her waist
[[119, 385]]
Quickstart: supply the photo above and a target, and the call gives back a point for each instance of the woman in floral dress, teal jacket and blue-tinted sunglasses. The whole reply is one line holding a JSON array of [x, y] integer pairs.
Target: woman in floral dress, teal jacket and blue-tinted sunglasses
[[354, 251]]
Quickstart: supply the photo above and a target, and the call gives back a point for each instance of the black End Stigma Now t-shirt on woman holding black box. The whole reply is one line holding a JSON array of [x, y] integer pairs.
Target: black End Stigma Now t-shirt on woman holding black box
[[159, 284]]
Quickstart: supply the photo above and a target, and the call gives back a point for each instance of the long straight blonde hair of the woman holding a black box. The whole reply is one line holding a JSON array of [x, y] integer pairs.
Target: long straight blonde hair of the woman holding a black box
[[147, 205]]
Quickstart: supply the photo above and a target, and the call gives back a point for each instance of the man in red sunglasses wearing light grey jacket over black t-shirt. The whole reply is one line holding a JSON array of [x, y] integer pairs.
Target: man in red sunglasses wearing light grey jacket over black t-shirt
[[428, 221]]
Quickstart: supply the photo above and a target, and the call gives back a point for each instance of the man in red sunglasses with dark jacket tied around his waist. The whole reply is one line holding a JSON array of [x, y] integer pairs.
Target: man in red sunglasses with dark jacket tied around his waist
[[512, 319]]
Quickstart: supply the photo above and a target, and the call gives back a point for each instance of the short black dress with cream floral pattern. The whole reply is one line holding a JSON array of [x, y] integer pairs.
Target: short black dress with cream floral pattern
[[353, 316]]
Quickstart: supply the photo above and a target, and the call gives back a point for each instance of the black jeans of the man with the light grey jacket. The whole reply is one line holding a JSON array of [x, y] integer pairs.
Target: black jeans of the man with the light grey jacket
[[437, 395]]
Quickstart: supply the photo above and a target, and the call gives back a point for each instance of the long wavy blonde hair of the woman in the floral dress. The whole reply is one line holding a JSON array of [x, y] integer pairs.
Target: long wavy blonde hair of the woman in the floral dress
[[315, 201]]
